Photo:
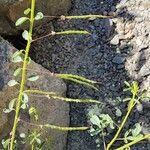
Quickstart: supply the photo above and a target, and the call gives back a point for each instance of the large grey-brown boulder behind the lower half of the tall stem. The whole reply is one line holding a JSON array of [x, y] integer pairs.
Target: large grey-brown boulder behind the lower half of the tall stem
[[50, 111]]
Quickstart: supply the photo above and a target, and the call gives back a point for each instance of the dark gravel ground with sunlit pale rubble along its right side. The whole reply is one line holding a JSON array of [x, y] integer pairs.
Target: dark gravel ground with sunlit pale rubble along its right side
[[97, 58]]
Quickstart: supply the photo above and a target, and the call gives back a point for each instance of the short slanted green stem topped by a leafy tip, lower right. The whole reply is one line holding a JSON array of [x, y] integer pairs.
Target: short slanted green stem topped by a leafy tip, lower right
[[130, 106]]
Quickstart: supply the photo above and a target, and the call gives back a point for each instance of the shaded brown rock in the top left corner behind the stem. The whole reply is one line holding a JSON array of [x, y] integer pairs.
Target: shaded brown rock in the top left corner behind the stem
[[13, 9]]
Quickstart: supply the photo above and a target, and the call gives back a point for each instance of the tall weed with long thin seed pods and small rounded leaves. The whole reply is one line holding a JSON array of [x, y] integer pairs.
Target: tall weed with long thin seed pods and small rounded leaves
[[22, 101]]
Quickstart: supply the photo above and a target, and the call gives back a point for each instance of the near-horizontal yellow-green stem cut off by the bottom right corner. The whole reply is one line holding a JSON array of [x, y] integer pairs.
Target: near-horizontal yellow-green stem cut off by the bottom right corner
[[134, 142]]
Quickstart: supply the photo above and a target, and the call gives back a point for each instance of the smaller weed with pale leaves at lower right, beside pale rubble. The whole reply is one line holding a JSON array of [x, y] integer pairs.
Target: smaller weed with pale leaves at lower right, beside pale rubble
[[132, 136]]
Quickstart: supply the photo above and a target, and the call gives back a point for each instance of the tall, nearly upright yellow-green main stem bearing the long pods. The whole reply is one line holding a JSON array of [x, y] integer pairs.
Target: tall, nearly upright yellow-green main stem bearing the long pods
[[23, 76]]
